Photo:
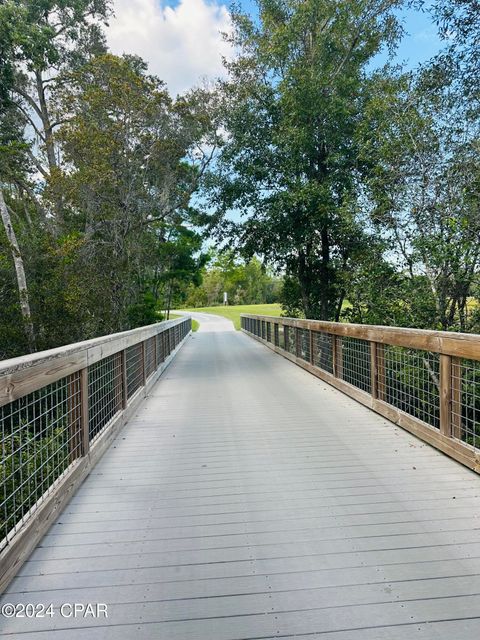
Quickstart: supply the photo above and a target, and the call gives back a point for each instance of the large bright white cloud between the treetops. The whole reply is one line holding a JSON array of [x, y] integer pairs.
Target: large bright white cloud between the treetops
[[182, 44]]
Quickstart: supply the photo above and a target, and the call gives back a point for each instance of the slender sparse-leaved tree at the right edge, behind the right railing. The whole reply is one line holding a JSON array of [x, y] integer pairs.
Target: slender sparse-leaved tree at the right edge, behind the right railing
[[424, 189]]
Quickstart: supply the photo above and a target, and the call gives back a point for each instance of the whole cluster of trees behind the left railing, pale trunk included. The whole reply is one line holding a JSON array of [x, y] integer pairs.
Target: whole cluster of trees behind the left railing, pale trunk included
[[98, 166]]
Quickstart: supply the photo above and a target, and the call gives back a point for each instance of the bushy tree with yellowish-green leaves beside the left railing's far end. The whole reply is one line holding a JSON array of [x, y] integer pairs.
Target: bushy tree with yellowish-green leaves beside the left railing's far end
[[133, 159]]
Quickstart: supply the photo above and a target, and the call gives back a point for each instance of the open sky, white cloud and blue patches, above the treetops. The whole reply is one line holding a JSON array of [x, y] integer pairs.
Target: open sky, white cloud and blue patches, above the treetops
[[181, 39]]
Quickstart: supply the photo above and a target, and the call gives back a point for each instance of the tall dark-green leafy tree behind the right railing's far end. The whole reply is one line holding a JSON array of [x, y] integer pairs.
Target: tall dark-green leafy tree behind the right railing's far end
[[290, 161]]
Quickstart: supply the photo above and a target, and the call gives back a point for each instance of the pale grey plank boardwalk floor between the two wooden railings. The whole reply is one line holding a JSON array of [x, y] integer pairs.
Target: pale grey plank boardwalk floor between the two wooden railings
[[249, 500]]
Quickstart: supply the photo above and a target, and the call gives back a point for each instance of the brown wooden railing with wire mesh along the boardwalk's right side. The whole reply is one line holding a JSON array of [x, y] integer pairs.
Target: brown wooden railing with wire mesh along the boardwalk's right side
[[427, 382]]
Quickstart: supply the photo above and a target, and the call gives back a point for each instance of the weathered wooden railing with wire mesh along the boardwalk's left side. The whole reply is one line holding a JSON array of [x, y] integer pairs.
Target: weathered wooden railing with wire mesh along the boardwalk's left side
[[59, 412]]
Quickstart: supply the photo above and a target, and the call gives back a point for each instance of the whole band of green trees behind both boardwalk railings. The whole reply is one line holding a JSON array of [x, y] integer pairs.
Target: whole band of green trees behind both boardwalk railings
[[344, 189]]
